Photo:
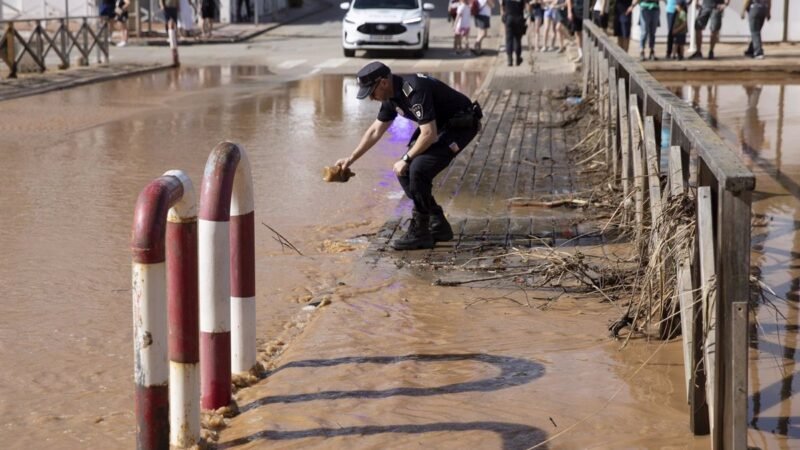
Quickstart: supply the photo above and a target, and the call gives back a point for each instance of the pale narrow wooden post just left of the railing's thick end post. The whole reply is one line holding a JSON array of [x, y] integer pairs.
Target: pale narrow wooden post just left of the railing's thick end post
[[705, 233]]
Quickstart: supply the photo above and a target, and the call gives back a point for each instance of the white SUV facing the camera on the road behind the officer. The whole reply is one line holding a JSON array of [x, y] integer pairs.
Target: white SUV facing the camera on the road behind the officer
[[385, 25]]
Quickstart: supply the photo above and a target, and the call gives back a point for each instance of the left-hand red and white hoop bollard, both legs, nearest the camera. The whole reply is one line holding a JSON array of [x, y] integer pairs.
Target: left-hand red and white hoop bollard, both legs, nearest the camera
[[169, 195]]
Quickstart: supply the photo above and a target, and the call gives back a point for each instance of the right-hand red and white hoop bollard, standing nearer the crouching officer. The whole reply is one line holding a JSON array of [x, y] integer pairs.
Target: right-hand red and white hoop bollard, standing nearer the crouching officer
[[227, 273]]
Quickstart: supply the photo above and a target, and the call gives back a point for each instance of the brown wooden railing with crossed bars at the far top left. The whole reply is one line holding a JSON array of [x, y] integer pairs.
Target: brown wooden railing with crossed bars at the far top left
[[35, 39]]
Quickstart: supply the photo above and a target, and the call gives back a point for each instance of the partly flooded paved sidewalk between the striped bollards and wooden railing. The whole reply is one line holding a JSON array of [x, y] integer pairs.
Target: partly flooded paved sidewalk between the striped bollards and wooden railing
[[442, 348]]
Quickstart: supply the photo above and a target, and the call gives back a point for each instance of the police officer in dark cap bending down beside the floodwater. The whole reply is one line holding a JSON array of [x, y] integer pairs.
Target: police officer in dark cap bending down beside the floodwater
[[447, 120]]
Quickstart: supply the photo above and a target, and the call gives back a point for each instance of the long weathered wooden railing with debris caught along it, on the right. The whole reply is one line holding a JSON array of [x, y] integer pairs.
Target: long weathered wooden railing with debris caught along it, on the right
[[712, 277]]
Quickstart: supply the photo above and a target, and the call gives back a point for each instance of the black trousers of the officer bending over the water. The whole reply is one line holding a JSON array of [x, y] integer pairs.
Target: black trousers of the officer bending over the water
[[417, 182]]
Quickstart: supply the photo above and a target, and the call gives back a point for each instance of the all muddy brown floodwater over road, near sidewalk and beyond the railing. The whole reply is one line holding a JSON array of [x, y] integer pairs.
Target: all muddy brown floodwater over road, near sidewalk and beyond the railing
[[73, 163]]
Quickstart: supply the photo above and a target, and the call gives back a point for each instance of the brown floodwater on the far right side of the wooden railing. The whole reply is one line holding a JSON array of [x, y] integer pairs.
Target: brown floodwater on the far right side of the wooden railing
[[760, 119]]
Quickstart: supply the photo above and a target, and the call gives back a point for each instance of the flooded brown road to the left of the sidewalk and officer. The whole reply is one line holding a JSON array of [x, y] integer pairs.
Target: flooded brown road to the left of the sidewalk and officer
[[73, 163]]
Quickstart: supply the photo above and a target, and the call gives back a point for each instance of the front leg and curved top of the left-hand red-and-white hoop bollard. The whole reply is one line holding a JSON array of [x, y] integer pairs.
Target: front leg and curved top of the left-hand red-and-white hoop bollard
[[149, 292]]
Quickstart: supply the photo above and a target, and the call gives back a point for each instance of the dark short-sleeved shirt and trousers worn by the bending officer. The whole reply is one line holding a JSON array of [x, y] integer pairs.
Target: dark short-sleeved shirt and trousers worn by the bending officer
[[424, 99]]
